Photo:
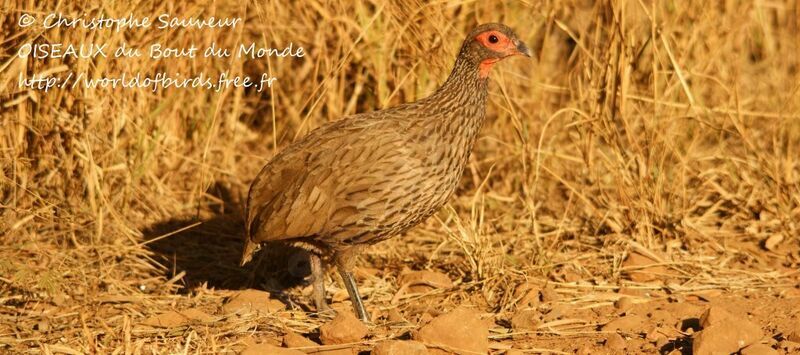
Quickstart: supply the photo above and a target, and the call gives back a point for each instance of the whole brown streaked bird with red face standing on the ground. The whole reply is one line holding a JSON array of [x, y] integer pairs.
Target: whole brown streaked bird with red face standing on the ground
[[371, 176]]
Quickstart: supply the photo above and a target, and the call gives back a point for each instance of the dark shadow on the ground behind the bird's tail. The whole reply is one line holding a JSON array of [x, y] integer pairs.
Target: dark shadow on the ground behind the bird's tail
[[208, 251]]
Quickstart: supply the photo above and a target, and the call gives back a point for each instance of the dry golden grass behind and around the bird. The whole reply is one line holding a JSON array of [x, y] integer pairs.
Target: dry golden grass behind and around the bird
[[666, 128]]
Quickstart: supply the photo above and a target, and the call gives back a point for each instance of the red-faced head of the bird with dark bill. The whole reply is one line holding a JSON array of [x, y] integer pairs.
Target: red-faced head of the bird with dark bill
[[489, 43]]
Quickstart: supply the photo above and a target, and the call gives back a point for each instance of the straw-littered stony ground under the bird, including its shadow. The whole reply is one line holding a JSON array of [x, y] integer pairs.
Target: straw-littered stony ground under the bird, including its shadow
[[201, 301]]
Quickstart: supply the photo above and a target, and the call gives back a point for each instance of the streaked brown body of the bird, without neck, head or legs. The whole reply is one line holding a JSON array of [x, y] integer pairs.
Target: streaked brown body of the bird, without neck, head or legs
[[357, 180]]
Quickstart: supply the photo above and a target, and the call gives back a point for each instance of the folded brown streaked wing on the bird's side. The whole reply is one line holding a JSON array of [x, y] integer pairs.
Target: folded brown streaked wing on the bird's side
[[331, 184]]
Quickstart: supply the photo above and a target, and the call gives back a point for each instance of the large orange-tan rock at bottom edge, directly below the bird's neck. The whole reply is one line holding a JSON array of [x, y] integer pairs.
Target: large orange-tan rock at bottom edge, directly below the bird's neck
[[460, 330]]
